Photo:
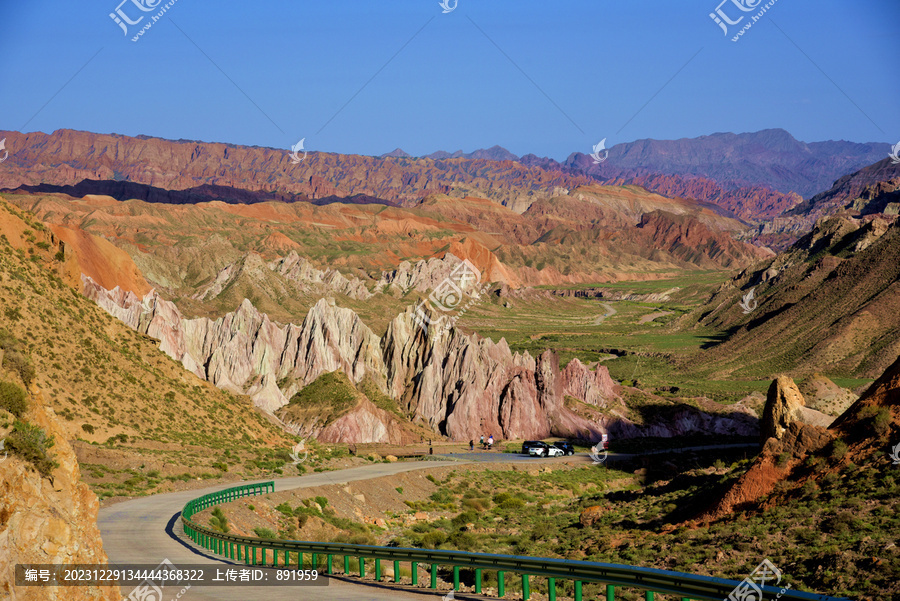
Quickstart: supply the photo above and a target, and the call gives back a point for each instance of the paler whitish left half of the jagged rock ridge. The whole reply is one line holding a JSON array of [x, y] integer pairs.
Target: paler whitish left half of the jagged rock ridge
[[244, 351]]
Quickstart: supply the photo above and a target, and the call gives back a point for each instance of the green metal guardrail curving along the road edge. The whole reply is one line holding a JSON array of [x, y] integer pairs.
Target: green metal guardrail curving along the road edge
[[256, 551]]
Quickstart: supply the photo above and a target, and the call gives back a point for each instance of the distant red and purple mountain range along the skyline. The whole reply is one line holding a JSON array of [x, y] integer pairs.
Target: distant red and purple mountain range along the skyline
[[749, 176]]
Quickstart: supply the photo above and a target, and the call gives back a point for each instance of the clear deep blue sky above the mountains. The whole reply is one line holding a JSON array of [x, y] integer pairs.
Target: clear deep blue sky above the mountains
[[547, 78]]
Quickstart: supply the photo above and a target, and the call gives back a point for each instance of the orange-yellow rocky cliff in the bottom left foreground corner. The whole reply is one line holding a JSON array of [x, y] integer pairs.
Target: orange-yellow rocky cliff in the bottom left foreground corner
[[48, 520]]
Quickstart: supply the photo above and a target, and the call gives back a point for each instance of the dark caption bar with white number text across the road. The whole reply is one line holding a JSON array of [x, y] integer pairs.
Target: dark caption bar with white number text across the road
[[165, 574]]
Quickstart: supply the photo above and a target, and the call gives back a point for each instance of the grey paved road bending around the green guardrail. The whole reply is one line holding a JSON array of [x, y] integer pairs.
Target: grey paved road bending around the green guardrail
[[147, 531]]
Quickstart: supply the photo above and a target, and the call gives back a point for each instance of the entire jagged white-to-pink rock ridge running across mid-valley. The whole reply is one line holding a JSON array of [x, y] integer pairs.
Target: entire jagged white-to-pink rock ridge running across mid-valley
[[451, 383]]
